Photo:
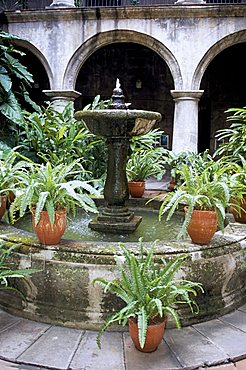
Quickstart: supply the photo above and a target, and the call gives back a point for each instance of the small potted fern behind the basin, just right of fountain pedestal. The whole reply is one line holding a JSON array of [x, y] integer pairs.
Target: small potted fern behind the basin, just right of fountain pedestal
[[141, 165]]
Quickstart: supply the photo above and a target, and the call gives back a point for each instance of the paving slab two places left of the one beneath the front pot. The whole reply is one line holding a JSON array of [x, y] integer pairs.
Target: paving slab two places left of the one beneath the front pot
[[55, 348]]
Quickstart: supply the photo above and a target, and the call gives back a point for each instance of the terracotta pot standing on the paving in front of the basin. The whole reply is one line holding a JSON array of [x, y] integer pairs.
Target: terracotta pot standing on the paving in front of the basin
[[154, 334]]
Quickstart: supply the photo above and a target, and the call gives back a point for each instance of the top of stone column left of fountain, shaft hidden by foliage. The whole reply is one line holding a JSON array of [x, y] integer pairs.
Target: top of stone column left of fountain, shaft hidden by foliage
[[60, 98]]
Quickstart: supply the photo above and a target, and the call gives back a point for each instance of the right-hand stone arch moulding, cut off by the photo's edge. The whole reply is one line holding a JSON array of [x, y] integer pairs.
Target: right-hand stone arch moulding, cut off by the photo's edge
[[221, 45]]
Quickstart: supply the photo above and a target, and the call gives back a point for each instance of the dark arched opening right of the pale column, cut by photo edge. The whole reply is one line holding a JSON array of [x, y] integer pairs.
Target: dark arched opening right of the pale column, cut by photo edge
[[224, 87]]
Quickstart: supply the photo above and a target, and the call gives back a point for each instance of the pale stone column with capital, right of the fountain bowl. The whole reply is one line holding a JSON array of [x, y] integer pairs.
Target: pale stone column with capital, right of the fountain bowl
[[185, 126]]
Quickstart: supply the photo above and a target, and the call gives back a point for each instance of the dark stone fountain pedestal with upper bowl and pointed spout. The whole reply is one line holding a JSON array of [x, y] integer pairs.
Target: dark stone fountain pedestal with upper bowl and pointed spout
[[117, 124]]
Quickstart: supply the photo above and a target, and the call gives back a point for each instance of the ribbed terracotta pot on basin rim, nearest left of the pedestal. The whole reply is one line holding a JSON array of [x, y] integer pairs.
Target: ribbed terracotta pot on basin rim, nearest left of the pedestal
[[48, 233]]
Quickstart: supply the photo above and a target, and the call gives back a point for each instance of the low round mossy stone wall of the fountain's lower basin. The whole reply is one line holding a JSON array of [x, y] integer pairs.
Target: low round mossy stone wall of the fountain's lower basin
[[63, 293]]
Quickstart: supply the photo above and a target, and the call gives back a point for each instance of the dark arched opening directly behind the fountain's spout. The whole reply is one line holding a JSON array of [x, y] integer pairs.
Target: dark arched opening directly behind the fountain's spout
[[144, 76]]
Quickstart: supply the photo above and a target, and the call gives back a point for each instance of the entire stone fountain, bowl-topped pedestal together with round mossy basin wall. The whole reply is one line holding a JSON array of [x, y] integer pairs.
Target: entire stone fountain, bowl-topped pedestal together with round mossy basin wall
[[63, 293]]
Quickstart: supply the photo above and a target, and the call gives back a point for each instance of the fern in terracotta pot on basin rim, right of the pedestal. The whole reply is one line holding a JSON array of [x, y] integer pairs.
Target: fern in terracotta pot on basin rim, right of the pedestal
[[205, 197]]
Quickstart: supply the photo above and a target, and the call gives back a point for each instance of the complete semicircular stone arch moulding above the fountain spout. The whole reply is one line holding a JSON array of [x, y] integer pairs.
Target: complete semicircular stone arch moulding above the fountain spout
[[106, 38]]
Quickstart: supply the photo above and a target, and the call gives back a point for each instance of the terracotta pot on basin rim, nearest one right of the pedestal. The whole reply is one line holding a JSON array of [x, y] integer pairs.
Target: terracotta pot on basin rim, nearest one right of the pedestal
[[202, 226]]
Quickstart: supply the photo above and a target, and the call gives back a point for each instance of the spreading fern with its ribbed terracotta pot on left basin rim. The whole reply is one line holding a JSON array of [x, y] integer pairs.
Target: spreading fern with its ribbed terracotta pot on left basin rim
[[45, 191]]
